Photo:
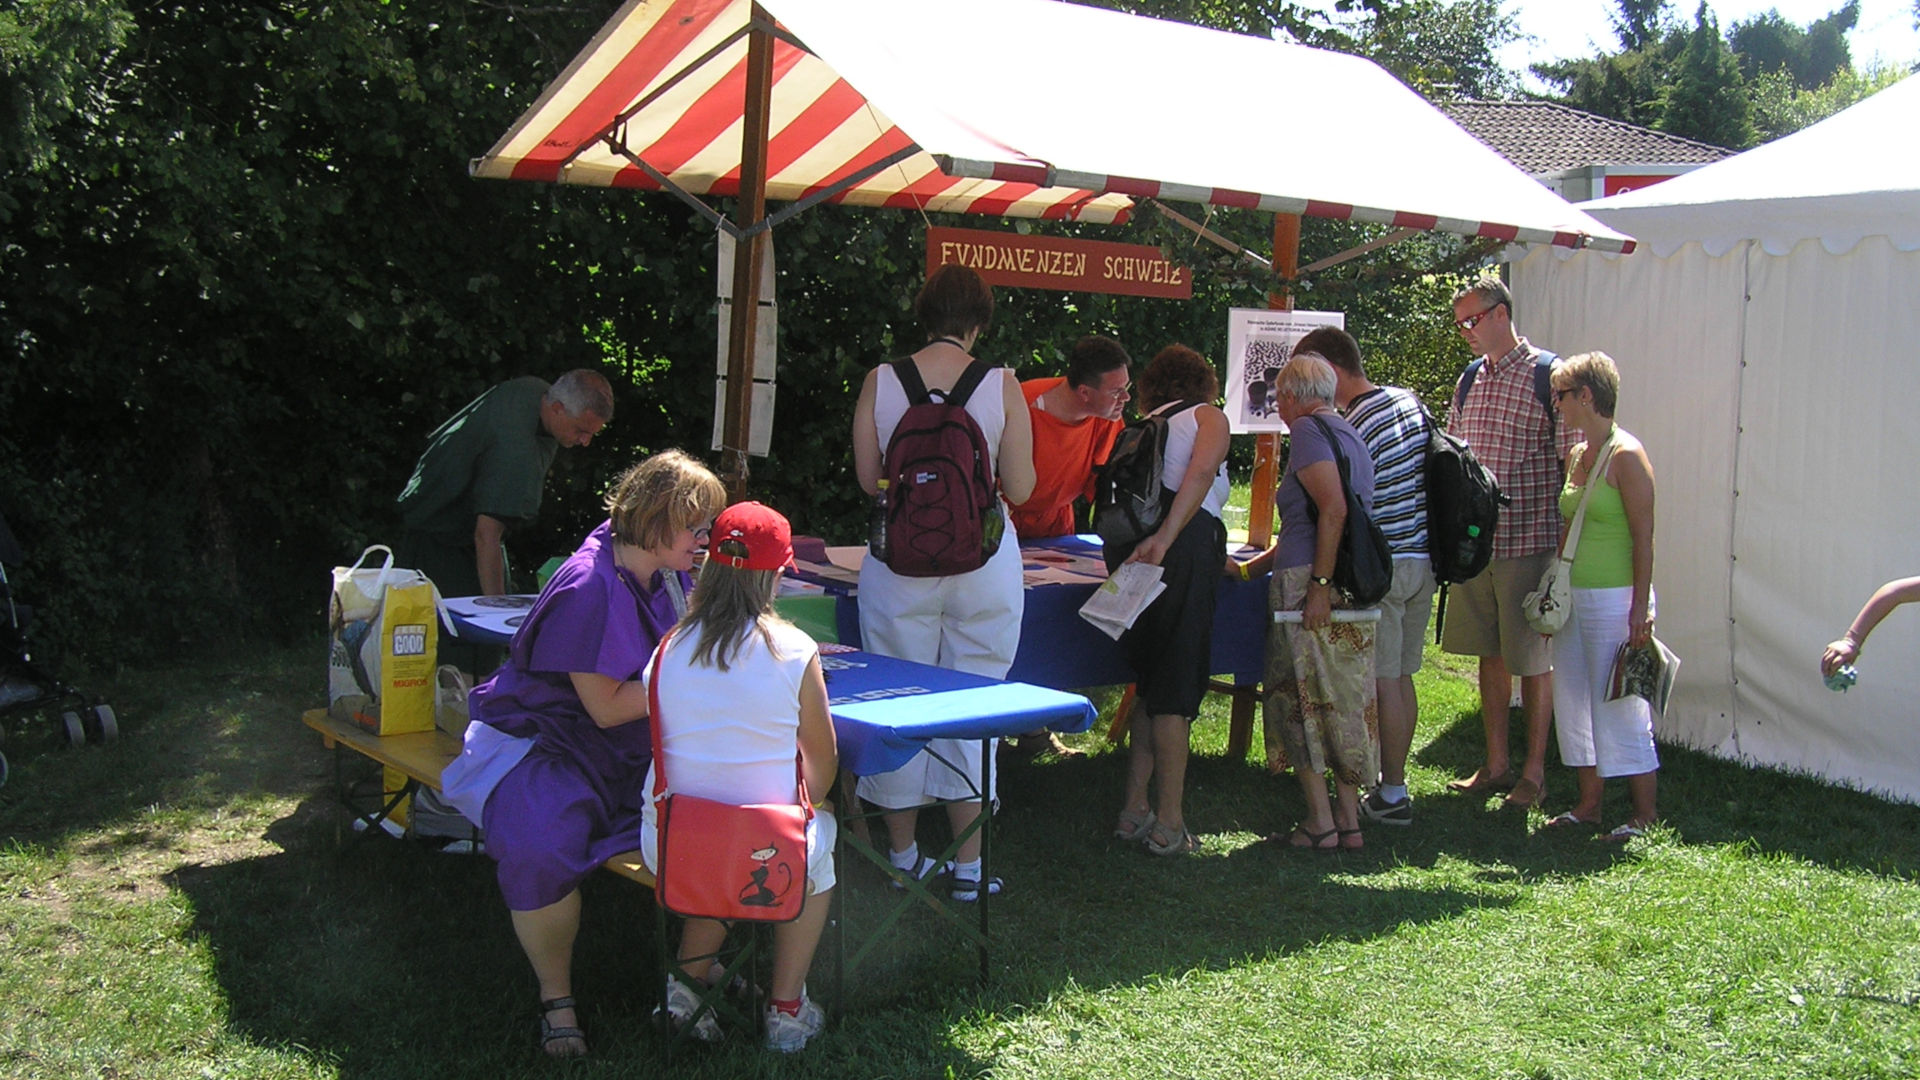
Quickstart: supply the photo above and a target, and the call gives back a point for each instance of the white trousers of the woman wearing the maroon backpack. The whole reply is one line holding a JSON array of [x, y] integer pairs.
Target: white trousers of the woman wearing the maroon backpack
[[965, 624]]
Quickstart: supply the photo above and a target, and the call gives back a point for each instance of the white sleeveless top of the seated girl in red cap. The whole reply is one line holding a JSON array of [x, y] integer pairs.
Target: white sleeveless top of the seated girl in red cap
[[734, 735]]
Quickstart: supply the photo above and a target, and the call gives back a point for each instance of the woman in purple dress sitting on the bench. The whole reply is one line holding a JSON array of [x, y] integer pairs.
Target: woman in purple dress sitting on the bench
[[554, 768]]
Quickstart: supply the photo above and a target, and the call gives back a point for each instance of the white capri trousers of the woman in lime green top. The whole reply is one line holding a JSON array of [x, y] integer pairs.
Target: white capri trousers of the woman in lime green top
[[1616, 739]]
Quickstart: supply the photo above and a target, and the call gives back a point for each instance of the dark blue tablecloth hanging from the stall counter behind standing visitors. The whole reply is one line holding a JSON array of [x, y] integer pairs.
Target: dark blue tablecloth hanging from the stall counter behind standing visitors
[[1063, 650]]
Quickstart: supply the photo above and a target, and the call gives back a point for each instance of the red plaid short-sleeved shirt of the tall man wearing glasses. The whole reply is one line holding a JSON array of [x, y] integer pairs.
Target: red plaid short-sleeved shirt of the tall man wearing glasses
[[1514, 437]]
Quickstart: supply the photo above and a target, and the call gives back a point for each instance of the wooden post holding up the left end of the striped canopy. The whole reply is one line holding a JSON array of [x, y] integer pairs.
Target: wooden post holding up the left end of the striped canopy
[[748, 257]]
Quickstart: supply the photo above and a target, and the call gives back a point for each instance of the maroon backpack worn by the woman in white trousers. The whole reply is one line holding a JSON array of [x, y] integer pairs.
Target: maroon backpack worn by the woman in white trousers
[[944, 514]]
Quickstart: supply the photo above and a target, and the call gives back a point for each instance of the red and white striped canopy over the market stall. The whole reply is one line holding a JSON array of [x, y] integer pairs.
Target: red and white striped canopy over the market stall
[[1022, 109]]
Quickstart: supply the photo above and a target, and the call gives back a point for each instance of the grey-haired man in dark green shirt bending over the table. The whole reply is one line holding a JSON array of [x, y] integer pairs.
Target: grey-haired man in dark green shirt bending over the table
[[485, 472]]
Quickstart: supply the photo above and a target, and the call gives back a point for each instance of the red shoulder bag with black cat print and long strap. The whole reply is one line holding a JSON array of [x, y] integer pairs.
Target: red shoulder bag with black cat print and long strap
[[721, 860]]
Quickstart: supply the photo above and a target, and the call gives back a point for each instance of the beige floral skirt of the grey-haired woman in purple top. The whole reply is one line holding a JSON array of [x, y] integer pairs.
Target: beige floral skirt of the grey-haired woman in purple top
[[1320, 710]]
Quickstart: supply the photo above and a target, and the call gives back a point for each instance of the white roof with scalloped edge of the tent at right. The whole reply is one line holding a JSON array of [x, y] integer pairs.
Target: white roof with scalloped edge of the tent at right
[[1846, 178]]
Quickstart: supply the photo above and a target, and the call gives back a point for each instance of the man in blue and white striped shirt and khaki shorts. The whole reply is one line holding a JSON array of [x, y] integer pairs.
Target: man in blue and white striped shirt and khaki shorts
[[1395, 430]]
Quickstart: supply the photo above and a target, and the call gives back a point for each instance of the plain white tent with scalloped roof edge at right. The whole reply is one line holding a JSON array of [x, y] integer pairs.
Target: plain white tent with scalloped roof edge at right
[[1769, 343]]
